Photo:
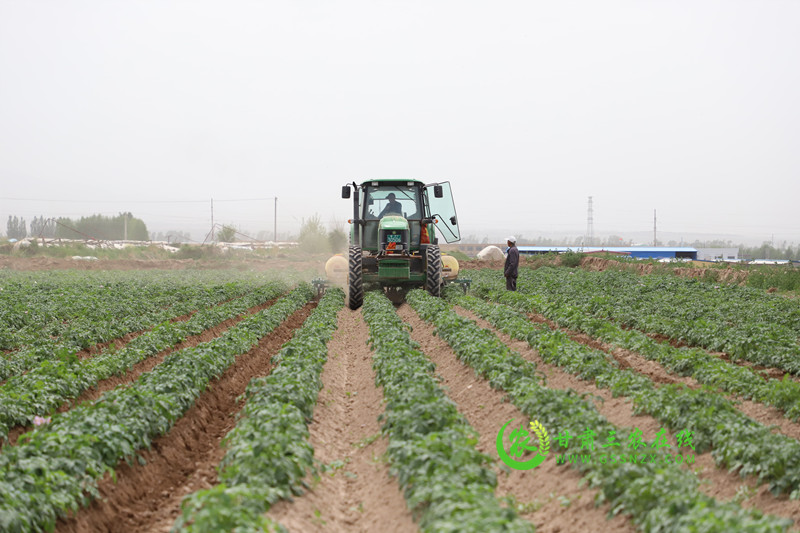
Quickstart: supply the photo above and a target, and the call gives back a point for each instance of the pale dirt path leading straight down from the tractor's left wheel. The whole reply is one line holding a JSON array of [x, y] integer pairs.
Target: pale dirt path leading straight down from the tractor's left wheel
[[357, 494]]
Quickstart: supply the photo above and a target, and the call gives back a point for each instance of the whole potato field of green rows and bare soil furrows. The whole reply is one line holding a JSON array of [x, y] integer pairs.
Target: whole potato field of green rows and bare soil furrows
[[230, 400]]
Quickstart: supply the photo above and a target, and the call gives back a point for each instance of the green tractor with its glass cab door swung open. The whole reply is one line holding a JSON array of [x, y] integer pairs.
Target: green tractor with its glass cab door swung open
[[393, 241]]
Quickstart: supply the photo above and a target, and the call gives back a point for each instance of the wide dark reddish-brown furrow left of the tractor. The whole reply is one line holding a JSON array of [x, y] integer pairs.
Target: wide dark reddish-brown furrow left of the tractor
[[146, 498]]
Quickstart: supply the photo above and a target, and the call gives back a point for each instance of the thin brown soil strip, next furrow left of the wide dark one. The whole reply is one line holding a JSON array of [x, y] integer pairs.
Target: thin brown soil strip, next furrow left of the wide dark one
[[141, 367]]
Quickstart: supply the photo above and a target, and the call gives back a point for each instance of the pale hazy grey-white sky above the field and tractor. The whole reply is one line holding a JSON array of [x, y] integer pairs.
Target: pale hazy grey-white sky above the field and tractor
[[690, 108]]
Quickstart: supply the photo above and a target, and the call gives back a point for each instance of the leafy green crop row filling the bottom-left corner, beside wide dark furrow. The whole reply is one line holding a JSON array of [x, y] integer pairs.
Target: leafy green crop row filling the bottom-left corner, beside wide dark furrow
[[55, 468]]
